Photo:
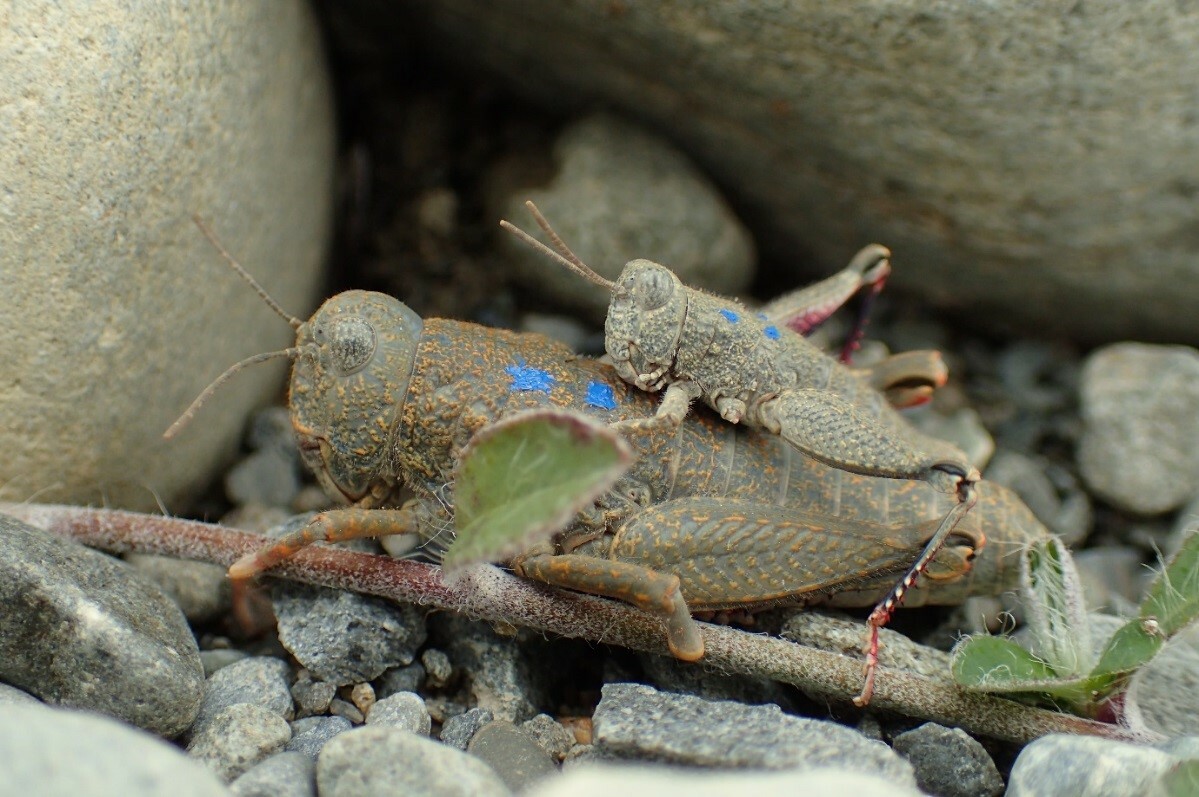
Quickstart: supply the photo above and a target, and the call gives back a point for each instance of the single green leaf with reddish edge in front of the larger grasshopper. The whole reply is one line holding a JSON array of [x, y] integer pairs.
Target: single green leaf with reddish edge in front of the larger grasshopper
[[525, 479]]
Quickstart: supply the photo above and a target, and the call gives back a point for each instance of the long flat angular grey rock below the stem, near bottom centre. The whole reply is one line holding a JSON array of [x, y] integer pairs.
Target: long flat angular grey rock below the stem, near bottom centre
[[637, 722]]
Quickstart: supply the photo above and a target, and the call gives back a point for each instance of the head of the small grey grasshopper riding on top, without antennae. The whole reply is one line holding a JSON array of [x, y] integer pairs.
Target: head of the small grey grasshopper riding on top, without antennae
[[646, 318]]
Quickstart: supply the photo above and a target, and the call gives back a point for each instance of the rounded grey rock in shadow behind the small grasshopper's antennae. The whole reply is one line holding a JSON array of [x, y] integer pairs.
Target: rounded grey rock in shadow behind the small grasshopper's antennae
[[622, 194]]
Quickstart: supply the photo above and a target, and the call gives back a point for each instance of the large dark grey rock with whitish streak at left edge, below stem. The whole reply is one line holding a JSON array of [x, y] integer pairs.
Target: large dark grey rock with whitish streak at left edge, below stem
[[86, 631]]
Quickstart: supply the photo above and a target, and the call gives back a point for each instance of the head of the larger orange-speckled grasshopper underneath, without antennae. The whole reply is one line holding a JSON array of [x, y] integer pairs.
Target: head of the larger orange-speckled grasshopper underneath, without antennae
[[356, 360]]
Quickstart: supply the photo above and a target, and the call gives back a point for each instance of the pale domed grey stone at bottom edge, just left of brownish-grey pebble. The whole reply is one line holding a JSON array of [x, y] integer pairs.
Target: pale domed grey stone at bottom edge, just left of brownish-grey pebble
[[379, 760]]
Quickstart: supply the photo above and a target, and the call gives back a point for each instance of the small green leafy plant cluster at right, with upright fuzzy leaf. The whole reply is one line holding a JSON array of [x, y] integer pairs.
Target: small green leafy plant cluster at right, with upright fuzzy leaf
[[1061, 665]]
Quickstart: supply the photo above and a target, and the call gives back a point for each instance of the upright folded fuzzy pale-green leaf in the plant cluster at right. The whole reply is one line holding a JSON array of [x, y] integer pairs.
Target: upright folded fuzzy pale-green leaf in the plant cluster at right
[[1055, 609]]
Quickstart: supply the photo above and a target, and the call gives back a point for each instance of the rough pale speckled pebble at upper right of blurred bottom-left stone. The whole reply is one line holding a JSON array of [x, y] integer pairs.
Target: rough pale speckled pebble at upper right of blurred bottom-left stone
[[239, 738]]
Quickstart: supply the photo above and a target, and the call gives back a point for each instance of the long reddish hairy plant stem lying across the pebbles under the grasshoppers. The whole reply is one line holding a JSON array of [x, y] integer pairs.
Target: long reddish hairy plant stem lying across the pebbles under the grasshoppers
[[490, 594]]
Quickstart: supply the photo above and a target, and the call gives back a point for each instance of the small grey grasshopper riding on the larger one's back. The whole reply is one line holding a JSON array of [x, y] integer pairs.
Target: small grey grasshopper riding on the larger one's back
[[662, 335]]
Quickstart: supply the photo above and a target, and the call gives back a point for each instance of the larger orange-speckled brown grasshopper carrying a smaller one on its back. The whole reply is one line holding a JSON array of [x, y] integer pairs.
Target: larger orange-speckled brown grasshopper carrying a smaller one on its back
[[710, 517]]
